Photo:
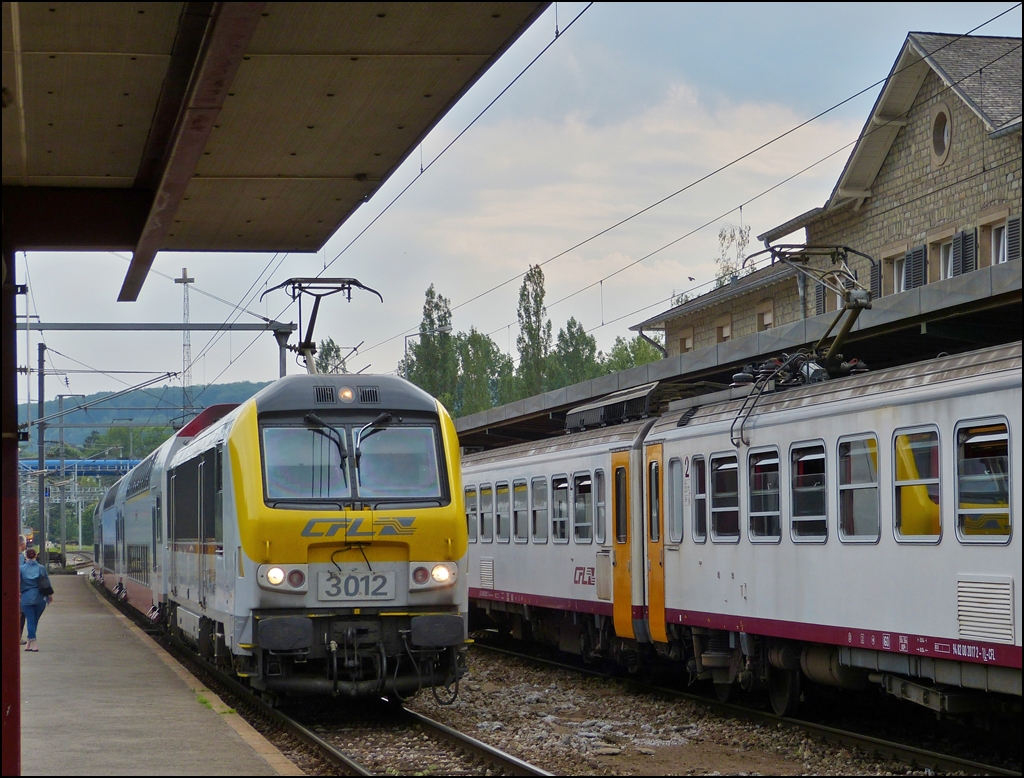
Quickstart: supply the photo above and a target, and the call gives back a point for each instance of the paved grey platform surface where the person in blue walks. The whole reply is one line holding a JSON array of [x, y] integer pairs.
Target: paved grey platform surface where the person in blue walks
[[101, 698]]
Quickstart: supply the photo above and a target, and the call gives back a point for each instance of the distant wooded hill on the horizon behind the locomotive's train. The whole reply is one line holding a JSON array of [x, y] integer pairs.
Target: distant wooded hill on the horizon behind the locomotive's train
[[154, 407]]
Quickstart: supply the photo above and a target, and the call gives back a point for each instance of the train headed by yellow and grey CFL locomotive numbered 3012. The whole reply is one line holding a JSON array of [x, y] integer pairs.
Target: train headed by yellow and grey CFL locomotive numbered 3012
[[312, 540]]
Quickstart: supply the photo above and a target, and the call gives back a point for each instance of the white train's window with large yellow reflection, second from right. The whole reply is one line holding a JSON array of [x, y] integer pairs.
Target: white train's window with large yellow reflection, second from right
[[916, 461]]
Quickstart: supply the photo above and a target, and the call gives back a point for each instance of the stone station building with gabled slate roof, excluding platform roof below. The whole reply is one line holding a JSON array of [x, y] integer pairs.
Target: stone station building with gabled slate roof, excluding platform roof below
[[932, 191]]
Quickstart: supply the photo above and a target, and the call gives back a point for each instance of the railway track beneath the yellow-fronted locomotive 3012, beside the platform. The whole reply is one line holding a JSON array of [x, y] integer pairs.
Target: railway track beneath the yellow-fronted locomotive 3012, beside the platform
[[376, 740]]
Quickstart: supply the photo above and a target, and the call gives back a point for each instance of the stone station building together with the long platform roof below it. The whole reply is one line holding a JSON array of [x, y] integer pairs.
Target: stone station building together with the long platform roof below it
[[931, 193]]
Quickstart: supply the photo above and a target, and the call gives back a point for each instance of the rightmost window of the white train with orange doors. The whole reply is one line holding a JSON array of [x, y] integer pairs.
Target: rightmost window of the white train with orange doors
[[984, 483]]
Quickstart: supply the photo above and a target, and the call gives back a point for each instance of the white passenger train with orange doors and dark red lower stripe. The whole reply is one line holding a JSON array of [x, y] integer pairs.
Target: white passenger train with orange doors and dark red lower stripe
[[860, 532]]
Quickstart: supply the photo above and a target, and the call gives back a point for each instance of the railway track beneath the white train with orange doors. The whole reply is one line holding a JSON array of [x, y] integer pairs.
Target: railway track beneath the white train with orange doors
[[912, 756]]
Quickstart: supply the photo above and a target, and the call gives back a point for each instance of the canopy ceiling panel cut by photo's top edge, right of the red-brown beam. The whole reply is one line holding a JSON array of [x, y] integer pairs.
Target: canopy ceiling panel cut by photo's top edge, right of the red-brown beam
[[389, 28]]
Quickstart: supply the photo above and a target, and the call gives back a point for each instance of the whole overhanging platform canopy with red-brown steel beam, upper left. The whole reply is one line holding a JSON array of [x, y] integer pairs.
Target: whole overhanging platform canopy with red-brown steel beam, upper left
[[223, 126]]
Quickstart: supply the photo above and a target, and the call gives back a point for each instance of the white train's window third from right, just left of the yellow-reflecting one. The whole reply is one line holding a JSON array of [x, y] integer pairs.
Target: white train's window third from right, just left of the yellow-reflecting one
[[859, 490]]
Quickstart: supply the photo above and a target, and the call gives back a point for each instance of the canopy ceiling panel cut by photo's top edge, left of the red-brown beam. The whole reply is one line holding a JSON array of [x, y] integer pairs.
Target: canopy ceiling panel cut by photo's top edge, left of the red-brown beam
[[124, 28]]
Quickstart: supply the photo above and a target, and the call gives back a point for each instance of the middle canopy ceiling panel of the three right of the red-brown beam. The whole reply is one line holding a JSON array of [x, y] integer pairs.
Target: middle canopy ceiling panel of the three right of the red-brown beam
[[333, 117]]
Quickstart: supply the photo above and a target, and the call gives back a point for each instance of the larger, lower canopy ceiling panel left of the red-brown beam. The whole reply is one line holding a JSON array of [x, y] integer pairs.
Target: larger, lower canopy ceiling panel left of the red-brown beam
[[90, 115]]
